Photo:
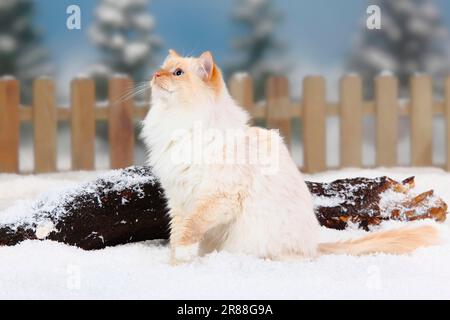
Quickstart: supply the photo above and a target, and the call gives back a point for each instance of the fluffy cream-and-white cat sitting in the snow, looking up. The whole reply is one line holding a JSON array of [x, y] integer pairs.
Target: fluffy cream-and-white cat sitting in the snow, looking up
[[261, 207]]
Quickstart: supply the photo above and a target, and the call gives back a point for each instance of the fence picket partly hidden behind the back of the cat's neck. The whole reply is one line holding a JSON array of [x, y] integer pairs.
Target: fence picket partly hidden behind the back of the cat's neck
[[241, 89]]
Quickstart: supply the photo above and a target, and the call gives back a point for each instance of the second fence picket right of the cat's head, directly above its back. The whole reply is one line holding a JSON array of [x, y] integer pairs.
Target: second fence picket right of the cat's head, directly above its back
[[278, 106]]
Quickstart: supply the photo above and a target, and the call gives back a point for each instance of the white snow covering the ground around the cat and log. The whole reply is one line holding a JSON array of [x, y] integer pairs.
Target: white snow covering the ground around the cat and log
[[45, 270]]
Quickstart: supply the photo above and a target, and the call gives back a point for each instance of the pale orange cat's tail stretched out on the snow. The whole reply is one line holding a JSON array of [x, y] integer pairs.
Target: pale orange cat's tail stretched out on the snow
[[397, 241]]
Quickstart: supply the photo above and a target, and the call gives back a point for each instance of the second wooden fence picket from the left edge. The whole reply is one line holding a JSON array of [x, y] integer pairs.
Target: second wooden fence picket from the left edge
[[45, 124]]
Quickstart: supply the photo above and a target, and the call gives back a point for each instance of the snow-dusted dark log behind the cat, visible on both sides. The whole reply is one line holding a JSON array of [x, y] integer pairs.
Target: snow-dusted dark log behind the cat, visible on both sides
[[128, 205]]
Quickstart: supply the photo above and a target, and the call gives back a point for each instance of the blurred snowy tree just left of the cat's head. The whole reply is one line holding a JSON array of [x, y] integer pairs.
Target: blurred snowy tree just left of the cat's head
[[123, 31]]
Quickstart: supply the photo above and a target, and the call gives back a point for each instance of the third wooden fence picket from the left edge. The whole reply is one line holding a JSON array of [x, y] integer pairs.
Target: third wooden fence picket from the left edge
[[82, 121]]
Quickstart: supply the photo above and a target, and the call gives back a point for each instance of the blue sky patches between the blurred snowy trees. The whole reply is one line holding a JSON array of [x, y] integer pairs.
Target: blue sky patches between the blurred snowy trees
[[317, 32]]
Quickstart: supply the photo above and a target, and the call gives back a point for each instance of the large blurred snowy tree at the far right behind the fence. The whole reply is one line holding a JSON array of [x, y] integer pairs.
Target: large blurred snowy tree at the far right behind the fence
[[412, 39]]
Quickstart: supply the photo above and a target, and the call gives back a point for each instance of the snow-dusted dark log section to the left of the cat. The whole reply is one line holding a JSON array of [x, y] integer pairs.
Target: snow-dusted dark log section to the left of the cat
[[121, 207]]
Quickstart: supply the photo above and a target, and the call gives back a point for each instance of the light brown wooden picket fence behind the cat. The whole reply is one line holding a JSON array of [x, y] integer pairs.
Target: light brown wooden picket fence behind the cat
[[277, 109]]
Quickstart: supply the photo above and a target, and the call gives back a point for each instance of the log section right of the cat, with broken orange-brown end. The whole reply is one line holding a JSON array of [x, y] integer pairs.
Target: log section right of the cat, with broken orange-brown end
[[367, 202]]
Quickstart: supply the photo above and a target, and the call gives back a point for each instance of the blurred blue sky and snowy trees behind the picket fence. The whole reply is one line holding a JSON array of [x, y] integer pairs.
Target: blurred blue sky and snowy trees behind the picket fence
[[262, 37]]
